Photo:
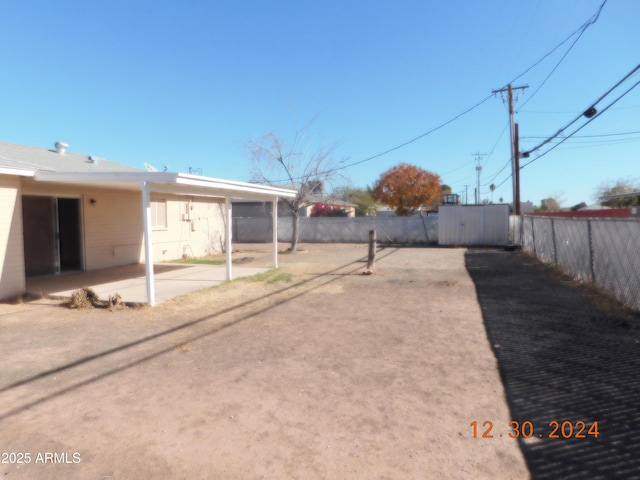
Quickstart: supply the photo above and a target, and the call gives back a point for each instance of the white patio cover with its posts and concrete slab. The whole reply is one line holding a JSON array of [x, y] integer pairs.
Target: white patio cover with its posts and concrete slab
[[148, 283]]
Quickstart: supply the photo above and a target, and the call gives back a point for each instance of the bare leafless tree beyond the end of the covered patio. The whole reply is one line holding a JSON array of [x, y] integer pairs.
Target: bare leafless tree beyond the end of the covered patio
[[299, 166]]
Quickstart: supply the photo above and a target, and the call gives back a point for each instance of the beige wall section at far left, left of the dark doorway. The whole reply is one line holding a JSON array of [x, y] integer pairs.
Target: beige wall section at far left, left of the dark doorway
[[12, 281]]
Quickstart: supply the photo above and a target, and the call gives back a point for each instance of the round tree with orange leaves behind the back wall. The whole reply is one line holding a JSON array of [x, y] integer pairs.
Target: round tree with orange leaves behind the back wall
[[407, 189]]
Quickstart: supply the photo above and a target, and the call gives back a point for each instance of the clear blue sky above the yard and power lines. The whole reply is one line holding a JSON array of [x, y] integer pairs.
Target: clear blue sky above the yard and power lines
[[189, 83]]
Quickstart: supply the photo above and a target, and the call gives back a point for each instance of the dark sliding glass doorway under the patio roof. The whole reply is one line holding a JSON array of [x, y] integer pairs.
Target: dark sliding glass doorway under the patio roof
[[52, 235]]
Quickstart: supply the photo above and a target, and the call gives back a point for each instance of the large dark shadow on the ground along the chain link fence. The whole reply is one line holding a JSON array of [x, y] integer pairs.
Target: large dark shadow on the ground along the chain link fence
[[562, 359]]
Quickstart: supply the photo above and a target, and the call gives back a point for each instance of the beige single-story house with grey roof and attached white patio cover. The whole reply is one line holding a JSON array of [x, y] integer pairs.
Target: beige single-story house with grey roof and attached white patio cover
[[63, 212]]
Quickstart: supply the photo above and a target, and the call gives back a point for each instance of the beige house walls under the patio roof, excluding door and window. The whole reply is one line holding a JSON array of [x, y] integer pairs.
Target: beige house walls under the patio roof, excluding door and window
[[112, 227]]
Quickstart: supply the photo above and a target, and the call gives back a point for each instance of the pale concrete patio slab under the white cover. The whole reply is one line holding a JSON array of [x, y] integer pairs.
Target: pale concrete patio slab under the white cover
[[171, 280]]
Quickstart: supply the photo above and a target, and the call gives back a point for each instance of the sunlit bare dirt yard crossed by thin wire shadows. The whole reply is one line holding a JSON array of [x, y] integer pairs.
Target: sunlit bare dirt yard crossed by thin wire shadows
[[313, 371]]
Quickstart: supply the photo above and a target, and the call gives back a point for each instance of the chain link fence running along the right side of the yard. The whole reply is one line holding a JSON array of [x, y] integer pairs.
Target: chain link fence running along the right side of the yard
[[605, 252]]
